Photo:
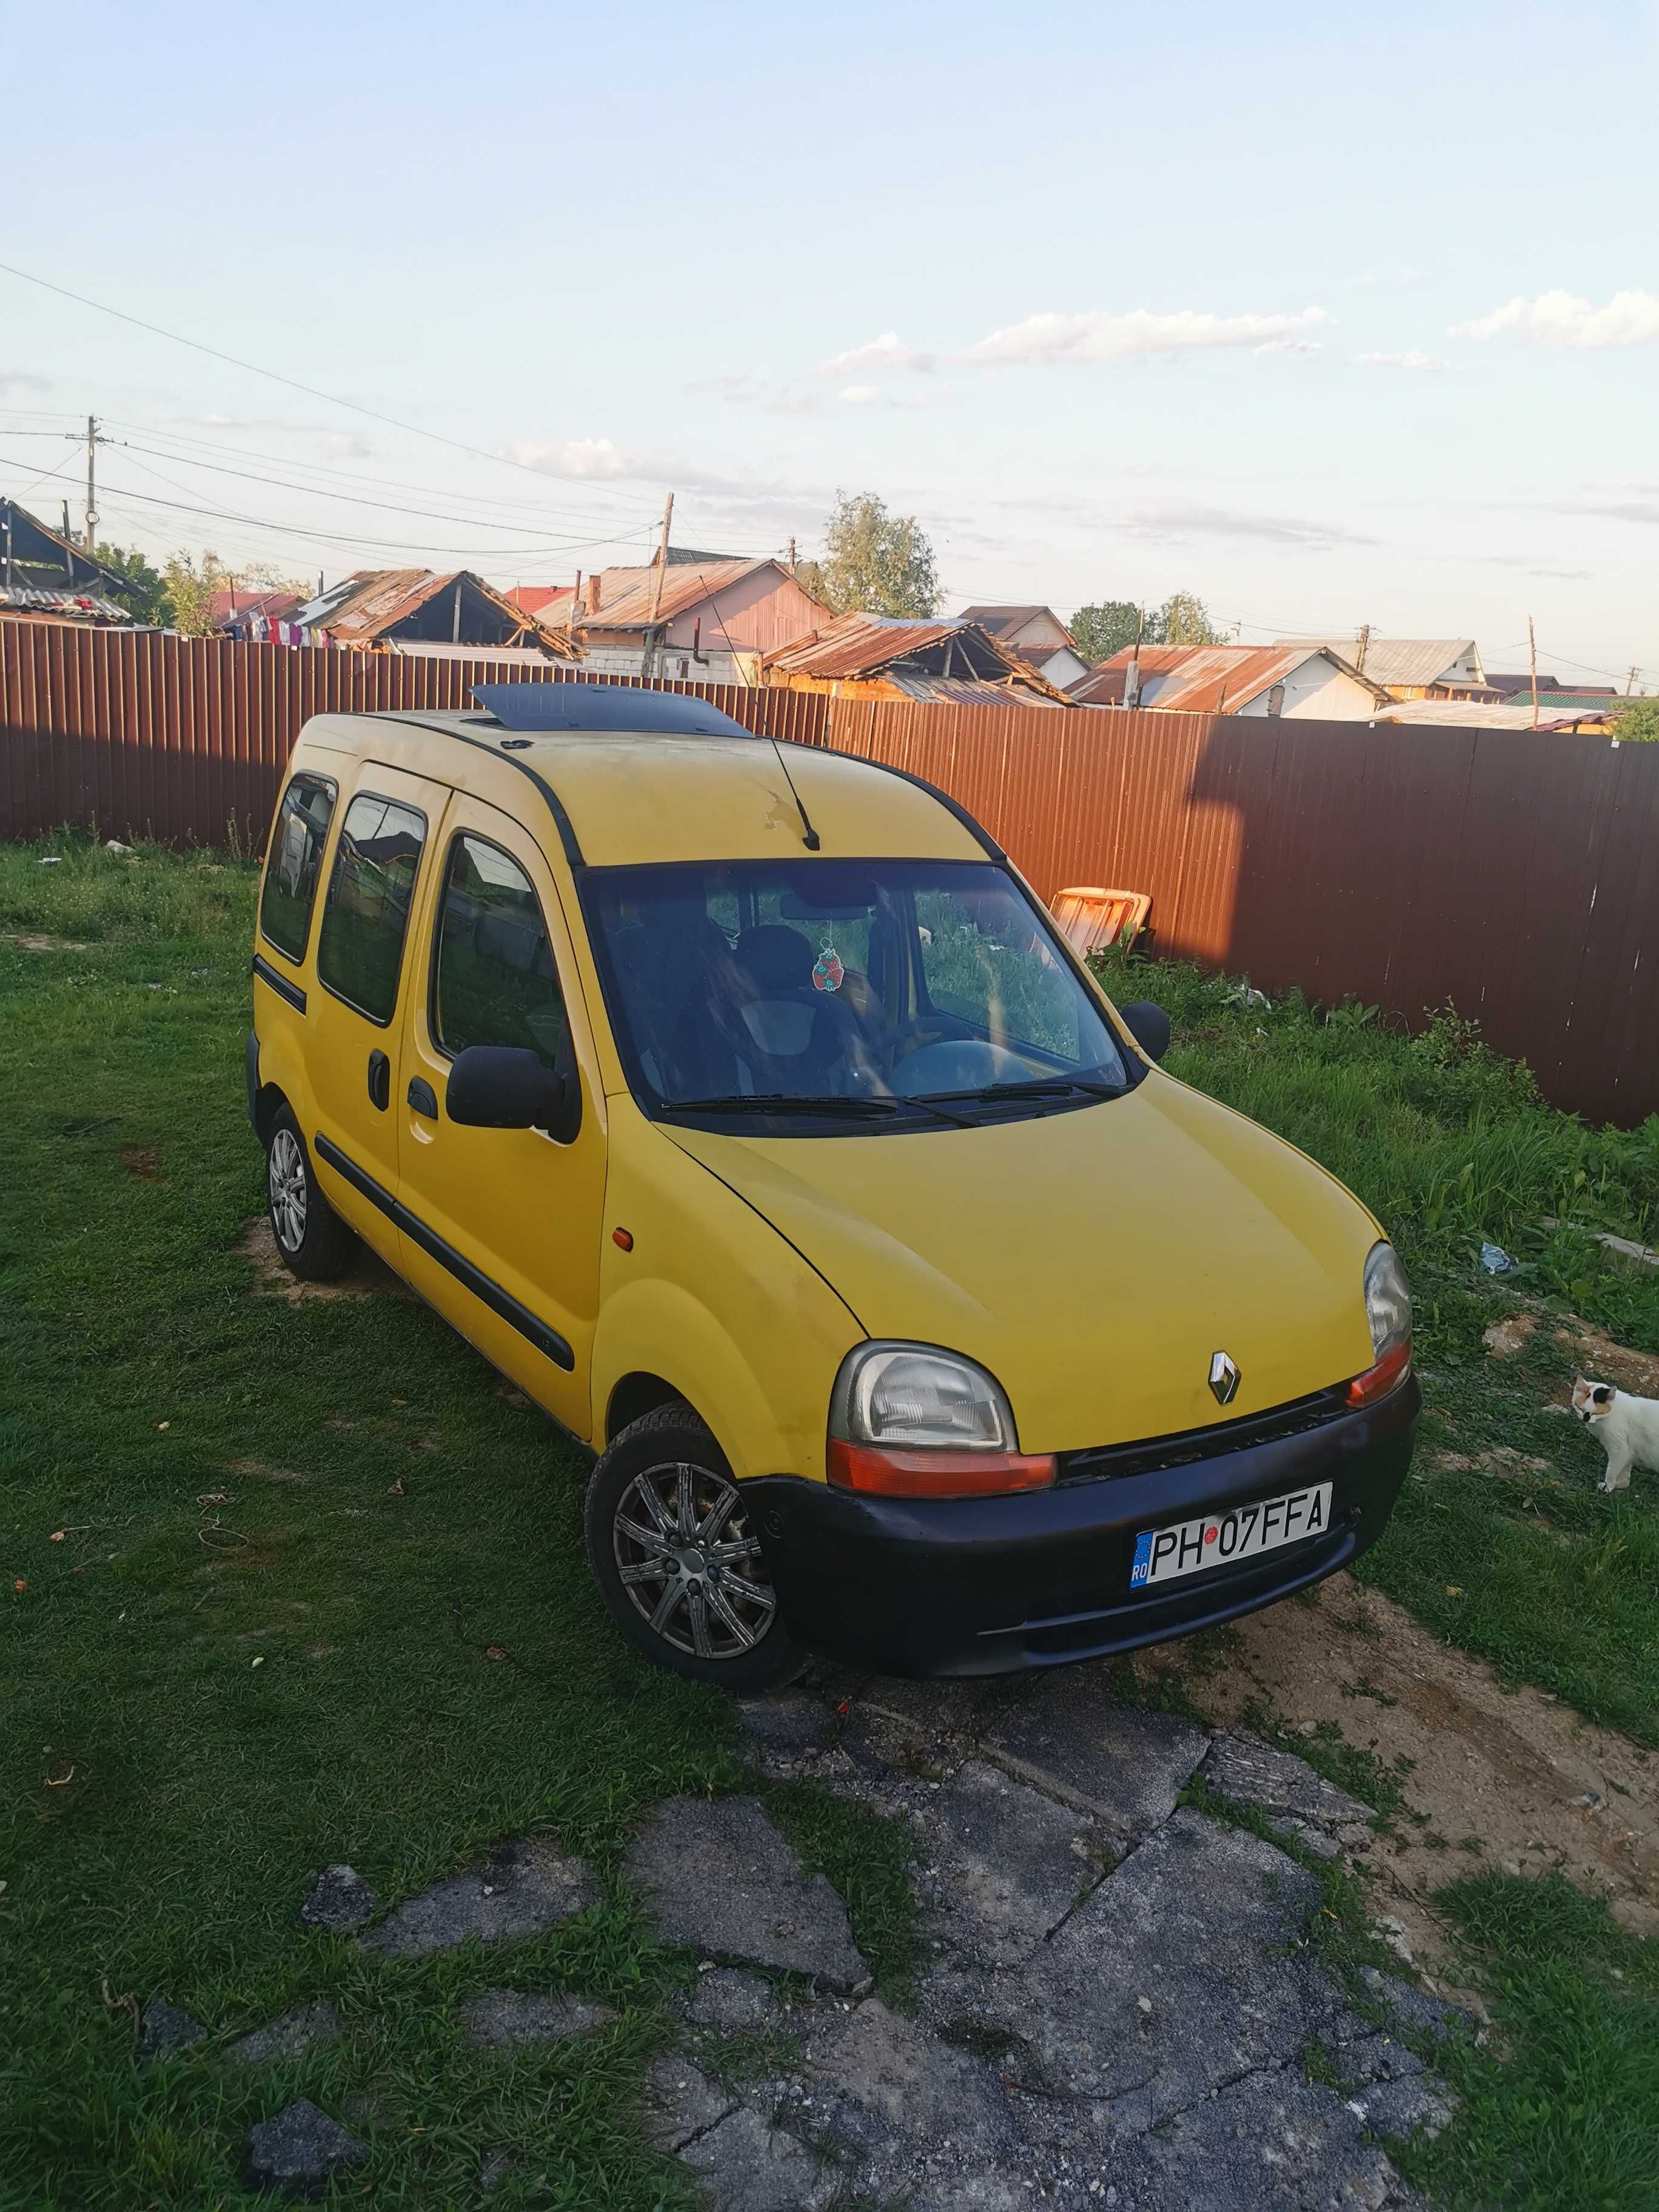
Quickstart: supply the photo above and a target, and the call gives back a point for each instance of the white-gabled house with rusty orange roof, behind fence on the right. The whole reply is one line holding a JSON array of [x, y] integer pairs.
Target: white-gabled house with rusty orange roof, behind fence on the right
[[1306, 682]]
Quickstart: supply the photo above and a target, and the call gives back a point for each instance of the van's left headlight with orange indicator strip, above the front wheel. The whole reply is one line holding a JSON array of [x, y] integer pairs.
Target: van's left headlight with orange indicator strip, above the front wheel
[[910, 1421]]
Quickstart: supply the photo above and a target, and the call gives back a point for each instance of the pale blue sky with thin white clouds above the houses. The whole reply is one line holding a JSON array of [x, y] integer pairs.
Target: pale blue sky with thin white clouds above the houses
[[1331, 315]]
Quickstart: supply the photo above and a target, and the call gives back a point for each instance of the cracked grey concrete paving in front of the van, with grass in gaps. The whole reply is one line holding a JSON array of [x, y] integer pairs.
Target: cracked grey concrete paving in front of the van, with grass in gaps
[[1123, 2007]]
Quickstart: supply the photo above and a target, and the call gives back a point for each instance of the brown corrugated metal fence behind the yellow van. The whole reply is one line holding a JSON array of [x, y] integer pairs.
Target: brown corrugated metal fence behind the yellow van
[[1512, 875]]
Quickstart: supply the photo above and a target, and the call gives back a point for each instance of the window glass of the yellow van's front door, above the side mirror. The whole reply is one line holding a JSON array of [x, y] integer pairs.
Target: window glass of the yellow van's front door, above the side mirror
[[492, 974]]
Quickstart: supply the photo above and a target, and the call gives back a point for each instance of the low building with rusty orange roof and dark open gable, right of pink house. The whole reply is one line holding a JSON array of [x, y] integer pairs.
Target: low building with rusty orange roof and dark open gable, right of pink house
[[899, 658]]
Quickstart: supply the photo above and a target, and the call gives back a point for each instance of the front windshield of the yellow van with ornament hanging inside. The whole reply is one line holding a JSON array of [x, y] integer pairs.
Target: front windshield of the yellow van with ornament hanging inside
[[862, 988]]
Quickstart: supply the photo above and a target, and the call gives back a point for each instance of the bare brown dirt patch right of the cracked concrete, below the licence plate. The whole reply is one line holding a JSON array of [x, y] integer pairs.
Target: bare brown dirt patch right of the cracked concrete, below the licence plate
[[1516, 1771]]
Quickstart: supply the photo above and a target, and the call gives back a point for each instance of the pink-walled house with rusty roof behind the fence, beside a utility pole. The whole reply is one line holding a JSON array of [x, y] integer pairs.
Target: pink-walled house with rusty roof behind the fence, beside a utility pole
[[707, 618]]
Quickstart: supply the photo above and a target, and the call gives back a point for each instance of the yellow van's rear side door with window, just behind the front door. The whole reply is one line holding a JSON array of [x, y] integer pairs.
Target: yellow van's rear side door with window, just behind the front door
[[366, 970]]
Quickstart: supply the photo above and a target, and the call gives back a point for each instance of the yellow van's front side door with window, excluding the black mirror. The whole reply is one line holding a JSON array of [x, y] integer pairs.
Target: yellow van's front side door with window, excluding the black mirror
[[501, 1227]]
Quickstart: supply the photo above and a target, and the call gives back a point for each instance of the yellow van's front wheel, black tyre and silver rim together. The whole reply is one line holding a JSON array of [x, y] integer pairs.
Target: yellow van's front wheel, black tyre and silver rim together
[[678, 1561]]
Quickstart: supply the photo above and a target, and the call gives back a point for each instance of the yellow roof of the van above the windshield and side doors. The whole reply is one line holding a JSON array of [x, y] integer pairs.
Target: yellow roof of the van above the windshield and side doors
[[623, 797]]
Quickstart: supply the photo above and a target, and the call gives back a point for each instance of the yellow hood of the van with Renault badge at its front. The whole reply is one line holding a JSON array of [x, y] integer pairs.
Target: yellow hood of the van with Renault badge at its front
[[1092, 1260]]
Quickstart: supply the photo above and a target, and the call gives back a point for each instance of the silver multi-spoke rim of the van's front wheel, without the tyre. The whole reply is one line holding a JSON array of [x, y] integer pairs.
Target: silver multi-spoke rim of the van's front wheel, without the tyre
[[691, 1563]]
